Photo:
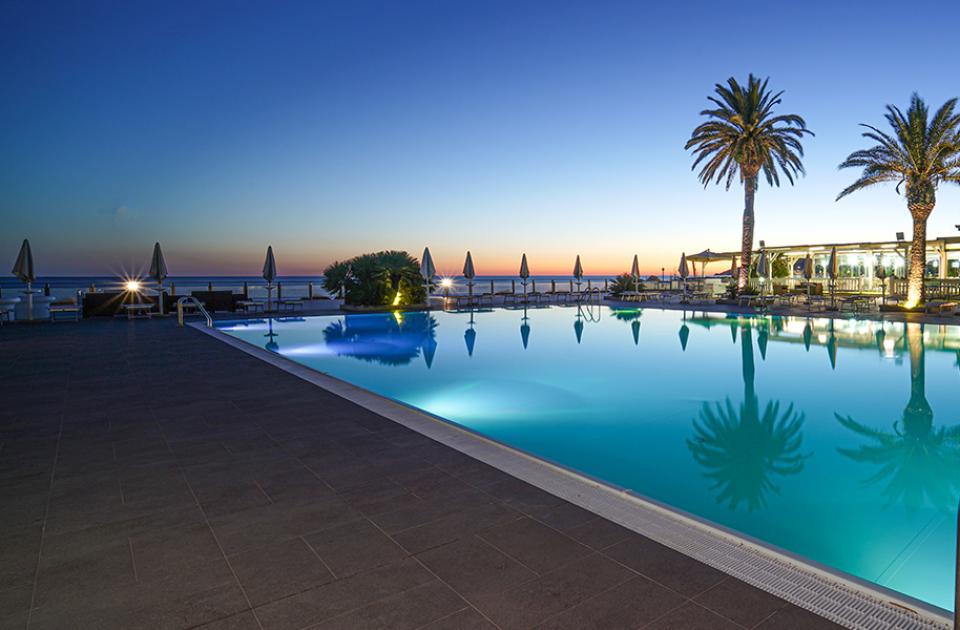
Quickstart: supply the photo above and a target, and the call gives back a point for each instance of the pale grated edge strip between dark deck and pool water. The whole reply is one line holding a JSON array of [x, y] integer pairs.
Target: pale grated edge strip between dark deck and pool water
[[837, 596]]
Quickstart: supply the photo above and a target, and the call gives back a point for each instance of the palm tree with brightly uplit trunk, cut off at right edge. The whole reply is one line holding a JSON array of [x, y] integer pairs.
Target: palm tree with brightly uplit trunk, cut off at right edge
[[918, 156]]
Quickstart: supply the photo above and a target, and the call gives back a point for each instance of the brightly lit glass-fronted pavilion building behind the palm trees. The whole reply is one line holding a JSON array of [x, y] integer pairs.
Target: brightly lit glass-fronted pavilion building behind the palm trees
[[859, 262]]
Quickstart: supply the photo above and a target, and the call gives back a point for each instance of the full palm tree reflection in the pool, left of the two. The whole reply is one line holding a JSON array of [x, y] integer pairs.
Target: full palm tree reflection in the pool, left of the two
[[742, 449]]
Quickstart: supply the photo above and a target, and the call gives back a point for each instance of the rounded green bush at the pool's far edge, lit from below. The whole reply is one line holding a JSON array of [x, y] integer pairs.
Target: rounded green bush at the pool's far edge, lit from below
[[387, 278]]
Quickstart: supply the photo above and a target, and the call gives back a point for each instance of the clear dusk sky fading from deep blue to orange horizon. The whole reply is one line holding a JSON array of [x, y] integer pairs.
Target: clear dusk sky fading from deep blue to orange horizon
[[328, 129]]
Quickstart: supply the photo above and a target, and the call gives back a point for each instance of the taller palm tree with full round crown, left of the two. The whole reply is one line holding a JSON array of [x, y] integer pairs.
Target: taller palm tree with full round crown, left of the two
[[744, 138]]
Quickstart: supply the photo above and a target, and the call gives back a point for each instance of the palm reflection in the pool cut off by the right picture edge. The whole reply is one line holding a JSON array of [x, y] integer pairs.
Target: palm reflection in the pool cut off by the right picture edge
[[918, 462]]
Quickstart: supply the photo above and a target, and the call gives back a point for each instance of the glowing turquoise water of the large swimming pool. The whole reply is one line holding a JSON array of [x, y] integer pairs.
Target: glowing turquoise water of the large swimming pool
[[838, 440]]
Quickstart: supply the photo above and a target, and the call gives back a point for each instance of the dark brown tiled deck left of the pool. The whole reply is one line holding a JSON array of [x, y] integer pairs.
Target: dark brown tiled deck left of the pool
[[152, 477]]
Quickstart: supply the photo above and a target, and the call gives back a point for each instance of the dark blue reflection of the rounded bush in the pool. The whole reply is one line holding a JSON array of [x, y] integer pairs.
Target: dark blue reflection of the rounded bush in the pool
[[384, 338]]
